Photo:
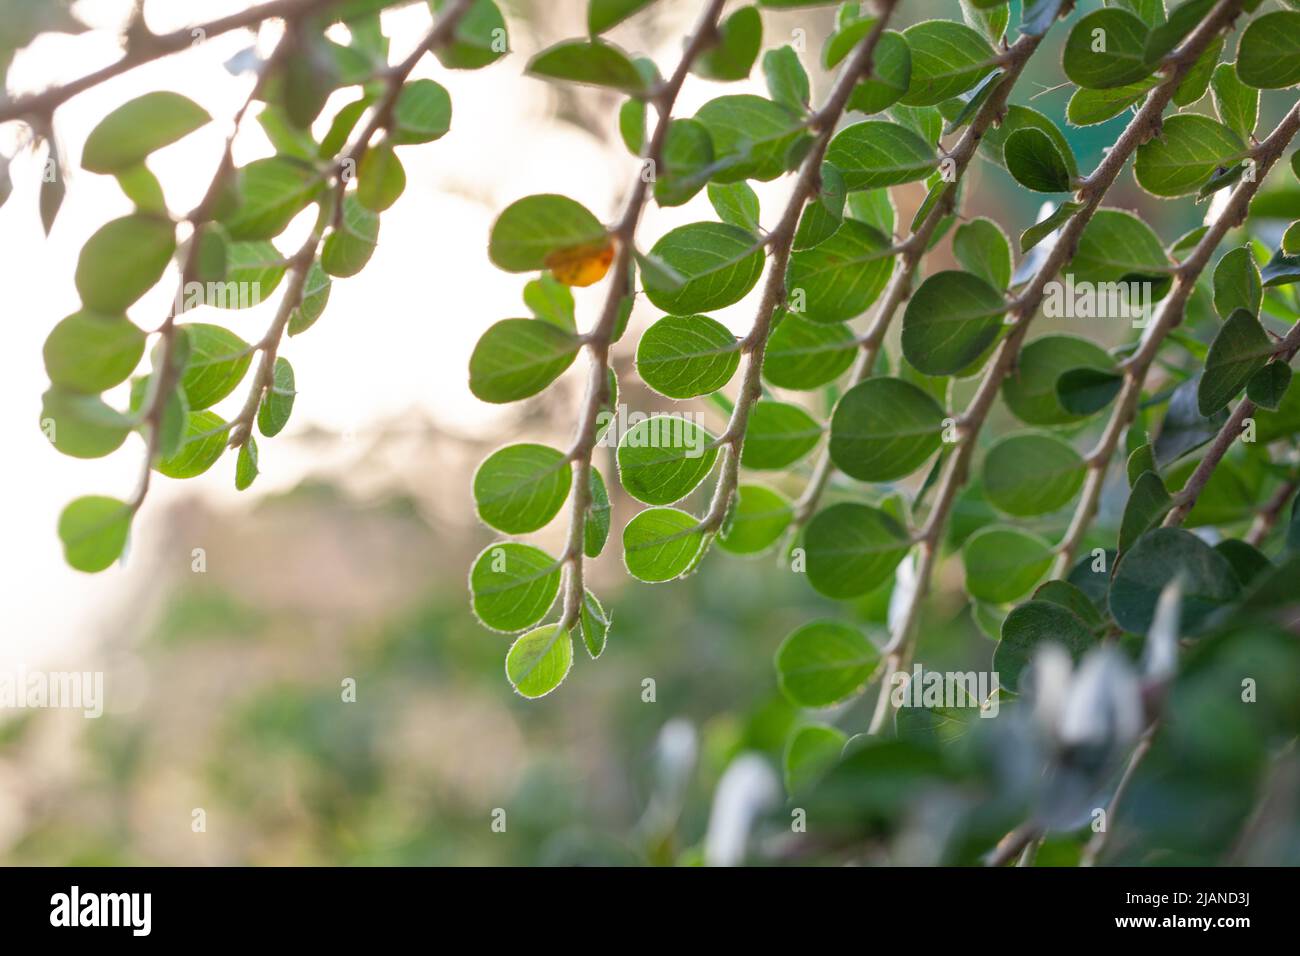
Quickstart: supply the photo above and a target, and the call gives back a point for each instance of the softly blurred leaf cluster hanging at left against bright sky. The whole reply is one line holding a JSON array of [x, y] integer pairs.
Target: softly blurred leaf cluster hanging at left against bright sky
[[340, 172]]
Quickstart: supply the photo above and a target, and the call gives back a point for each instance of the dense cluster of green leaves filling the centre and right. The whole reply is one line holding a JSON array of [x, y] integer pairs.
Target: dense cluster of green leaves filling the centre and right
[[896, 429]]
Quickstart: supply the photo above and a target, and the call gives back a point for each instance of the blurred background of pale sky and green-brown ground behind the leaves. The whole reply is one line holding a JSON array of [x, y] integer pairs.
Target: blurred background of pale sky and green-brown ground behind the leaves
[[348, 560]]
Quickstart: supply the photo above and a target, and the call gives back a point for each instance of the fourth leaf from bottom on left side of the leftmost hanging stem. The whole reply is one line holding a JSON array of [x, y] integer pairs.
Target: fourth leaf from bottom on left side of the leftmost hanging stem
[[123, 261]]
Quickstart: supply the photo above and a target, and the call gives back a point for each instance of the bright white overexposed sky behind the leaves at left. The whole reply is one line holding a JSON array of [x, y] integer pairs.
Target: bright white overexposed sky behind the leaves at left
[[397, 338]]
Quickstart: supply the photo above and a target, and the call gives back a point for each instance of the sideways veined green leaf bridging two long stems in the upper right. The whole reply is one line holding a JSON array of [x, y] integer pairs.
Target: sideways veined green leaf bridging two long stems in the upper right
[[1185, 155]]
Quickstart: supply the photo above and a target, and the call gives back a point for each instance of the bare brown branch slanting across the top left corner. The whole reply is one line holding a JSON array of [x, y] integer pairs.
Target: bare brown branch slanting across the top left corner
[[154, 47]]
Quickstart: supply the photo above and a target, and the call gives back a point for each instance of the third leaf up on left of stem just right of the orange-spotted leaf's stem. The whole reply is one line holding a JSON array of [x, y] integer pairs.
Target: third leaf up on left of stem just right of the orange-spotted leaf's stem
[[683, 357]]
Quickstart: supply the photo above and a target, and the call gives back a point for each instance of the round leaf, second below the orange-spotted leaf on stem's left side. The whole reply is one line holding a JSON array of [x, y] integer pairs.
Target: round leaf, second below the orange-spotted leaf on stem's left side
[[521, 488]]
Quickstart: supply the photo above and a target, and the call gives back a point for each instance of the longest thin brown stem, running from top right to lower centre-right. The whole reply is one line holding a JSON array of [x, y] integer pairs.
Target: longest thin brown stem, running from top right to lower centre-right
[[1091, 192]]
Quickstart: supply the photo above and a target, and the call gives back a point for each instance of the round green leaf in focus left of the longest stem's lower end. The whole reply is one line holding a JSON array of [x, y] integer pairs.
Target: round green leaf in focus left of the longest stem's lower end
[[824, 664]]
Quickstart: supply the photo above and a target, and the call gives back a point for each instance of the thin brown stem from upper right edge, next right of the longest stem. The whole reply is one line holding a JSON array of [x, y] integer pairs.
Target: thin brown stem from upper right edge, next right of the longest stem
[[1168, 318]]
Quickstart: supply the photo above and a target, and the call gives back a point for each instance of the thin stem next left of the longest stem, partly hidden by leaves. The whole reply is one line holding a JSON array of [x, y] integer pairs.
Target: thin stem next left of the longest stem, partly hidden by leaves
[[912, 250]]
